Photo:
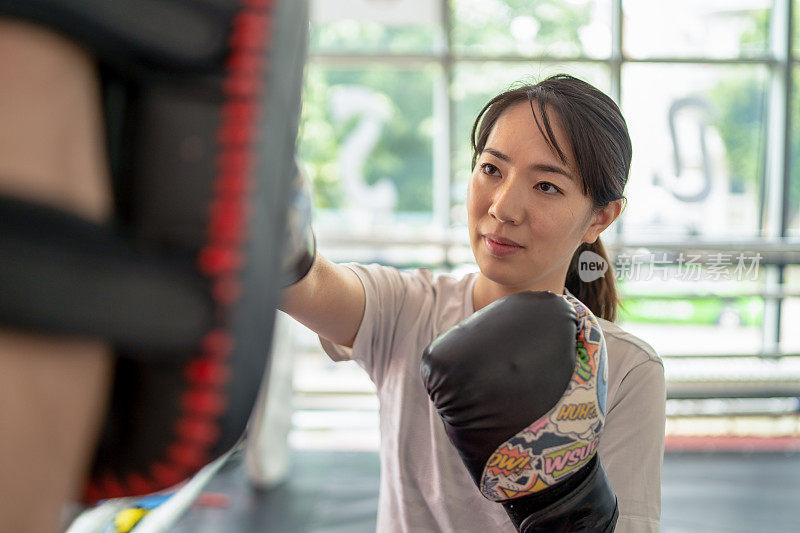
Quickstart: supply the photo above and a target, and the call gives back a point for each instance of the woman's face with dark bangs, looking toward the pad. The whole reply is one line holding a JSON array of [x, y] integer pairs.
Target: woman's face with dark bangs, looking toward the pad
[[527, 213]]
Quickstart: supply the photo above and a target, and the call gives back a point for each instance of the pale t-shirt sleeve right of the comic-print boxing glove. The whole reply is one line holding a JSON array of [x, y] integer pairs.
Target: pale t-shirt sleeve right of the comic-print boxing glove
[[632, 447]]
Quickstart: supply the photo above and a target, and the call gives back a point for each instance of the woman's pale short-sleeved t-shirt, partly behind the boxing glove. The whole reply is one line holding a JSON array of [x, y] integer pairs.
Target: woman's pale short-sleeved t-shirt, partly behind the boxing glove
[[424, 485]]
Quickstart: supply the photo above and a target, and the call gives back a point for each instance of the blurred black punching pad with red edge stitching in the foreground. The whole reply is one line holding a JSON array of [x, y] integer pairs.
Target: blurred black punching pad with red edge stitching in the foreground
[[201, 104]]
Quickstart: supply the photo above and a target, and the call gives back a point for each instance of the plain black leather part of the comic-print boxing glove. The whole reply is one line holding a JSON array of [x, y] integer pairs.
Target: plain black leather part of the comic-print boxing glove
[[498, 371]]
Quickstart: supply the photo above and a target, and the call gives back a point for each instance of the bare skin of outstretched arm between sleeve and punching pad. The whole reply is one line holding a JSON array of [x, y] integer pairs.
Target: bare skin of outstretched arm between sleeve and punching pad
[[329, 300]]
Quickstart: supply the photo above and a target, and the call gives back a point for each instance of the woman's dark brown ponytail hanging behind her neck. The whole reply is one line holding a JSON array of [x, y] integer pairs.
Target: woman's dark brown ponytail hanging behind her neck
[[601, 295]]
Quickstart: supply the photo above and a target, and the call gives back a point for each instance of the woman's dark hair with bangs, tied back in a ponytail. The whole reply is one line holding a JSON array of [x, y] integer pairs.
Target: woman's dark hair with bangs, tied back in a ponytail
[[601, 145]]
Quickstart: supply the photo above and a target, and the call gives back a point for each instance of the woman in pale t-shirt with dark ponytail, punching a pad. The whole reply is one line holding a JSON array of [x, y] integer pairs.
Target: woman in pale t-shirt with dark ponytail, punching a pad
[[549, 167]]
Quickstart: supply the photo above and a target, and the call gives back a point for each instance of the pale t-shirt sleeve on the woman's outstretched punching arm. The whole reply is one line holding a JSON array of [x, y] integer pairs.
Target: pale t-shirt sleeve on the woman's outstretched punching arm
[[390, 295]]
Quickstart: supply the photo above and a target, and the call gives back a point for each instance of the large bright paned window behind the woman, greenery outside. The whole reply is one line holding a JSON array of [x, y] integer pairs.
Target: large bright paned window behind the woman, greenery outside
[[707, 251]]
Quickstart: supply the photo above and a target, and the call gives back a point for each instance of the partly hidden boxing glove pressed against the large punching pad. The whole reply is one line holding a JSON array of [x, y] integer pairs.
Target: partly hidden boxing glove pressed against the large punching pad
[[300, 241]]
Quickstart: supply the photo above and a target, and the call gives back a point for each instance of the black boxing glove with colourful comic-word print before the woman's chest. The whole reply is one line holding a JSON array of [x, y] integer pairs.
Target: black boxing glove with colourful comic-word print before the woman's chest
[[521, 389]]
